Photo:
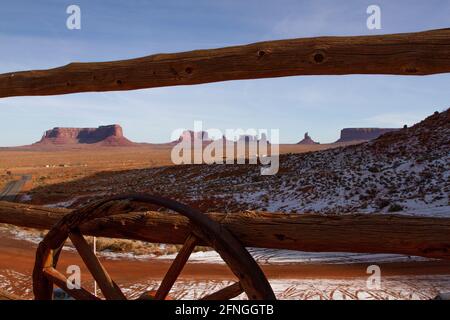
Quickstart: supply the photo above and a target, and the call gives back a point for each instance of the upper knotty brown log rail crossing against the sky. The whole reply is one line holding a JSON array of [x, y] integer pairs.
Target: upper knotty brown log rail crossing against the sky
[[420, 53]]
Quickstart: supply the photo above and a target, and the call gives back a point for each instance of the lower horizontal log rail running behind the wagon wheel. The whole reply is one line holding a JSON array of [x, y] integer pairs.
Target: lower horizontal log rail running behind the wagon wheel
[[374, 233]]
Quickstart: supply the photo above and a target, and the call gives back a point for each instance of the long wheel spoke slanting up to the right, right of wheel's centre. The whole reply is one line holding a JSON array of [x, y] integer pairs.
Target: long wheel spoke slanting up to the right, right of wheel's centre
[[176, 267]]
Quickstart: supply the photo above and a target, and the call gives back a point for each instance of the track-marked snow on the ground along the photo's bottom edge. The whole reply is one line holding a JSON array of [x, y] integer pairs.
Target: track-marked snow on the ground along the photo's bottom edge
[[392, 288]]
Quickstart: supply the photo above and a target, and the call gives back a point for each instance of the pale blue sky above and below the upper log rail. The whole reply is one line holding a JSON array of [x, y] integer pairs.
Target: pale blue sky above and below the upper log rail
[[33, 35]]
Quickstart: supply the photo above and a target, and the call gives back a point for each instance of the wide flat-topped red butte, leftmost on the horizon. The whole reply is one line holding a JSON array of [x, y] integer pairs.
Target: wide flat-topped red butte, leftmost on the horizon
[[111, 135]]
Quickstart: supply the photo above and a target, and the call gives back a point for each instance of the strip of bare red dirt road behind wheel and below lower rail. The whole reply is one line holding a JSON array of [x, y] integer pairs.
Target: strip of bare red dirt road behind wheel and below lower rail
[[18, 255]]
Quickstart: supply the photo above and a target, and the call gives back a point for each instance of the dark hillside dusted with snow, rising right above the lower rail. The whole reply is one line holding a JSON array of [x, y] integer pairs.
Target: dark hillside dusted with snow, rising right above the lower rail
[[402, 171]]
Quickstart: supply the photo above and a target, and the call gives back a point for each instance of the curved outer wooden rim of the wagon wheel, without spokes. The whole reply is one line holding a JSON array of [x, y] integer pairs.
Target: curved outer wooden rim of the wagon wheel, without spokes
[[212, 233]]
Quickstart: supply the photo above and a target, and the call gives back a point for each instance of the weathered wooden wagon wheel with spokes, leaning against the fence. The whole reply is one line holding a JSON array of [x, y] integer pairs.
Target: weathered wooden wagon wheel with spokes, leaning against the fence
[[252, 280]]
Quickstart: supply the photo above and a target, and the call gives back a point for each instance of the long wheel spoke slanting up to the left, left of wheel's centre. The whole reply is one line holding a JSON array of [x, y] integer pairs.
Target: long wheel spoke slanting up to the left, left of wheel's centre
[[109, 288]]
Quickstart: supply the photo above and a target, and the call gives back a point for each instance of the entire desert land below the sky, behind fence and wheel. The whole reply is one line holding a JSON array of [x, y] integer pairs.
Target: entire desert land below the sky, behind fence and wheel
[[396, 171]]
